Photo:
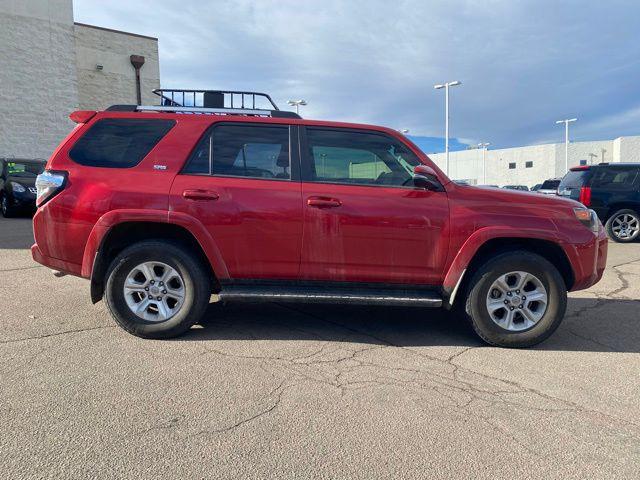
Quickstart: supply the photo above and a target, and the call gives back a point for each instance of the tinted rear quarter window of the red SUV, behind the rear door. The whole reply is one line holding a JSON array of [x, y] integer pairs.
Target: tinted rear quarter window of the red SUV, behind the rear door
[[119, 142]]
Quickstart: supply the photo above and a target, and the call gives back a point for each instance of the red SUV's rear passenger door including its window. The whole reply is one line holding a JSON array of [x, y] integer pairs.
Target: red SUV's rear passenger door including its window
[[242, 183]]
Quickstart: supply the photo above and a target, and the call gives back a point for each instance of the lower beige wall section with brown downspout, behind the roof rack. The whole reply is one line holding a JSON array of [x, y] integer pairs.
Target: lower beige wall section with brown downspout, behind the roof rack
[[116, 82]]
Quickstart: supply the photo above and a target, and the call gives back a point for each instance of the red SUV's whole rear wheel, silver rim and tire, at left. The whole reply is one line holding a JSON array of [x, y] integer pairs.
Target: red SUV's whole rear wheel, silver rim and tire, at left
[[156, 289]]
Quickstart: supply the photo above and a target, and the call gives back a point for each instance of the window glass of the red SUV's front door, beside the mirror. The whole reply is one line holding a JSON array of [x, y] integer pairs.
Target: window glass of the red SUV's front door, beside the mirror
[[342, 156]]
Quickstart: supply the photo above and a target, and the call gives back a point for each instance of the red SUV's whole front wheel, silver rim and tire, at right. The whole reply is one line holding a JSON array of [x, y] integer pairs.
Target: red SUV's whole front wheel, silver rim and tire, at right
[[516, 299]]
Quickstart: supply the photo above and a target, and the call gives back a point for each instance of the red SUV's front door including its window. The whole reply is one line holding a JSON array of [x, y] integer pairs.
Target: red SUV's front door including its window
[[364, 221]]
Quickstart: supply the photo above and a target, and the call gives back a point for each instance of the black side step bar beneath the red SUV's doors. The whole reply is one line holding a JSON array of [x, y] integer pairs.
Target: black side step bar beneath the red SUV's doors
[[340, 296]]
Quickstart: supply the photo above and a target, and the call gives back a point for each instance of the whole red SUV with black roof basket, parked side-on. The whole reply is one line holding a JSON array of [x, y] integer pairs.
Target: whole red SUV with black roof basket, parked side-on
[[161, 207]]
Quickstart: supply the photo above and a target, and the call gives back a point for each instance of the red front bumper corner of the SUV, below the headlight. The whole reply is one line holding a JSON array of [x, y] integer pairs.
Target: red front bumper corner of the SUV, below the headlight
[[589, 260]]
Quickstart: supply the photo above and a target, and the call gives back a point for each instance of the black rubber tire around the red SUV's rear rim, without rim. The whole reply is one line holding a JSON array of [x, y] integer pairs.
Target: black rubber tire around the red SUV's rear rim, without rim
[[197, 287]]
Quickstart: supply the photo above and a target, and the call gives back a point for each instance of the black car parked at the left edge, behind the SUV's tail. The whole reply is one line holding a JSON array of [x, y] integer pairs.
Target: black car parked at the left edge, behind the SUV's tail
[[17, 185]]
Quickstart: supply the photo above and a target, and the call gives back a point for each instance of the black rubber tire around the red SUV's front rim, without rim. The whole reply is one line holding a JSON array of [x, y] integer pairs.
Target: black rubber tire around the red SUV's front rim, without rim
[[481, 282]]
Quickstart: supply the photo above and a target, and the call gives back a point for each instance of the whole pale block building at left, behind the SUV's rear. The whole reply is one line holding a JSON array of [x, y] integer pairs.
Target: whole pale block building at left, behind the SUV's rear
[[51, 66]]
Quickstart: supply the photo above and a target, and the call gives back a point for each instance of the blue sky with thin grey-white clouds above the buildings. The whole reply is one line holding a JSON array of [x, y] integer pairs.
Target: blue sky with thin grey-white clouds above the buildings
[[523, 64]]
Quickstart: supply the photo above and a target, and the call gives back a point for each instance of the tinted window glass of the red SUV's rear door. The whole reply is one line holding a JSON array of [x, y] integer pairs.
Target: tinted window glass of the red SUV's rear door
[[259, 151]]
